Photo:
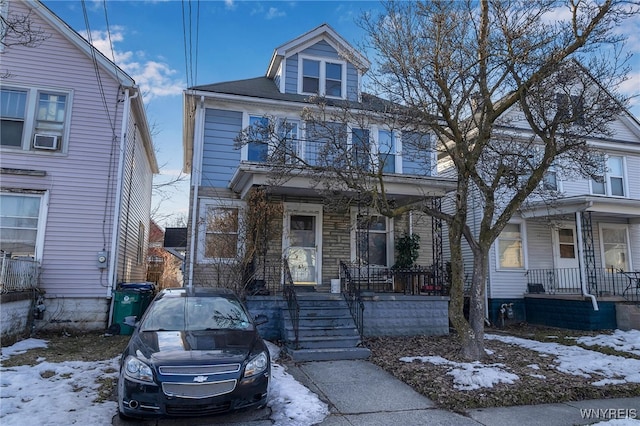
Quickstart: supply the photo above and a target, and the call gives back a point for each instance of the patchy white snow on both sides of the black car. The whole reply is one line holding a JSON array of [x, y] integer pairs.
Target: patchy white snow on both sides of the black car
[[64, 393]]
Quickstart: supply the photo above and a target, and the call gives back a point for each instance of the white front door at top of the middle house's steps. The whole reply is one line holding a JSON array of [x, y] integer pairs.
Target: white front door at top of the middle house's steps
[[302, 242]]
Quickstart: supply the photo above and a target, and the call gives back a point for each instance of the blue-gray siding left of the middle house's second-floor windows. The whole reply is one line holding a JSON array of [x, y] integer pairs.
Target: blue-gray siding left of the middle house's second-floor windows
[[220, 157]]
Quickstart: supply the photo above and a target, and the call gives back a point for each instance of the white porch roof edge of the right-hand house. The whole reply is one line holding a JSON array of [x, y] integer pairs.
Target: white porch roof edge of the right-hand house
[[609, 206]]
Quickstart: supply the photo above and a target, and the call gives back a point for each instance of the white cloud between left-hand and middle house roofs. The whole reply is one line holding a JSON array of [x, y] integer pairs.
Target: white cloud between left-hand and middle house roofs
[[155, 78]]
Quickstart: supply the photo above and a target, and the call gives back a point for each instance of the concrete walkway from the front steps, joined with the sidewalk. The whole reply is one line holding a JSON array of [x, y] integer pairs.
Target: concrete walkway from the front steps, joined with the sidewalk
[[360, 393]]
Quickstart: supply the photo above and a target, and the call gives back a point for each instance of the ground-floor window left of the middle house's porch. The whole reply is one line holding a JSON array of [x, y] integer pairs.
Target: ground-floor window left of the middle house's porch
[[221, 232]]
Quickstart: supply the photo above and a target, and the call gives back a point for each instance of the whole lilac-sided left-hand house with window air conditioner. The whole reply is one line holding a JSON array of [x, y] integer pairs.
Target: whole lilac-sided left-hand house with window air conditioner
[[77, 169]]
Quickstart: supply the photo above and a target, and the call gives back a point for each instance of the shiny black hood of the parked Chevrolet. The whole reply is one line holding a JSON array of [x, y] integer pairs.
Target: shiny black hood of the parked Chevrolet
[[208, 345]]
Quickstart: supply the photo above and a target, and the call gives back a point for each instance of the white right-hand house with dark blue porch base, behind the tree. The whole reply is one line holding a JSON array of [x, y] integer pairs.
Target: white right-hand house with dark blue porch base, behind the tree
[[572, 261]]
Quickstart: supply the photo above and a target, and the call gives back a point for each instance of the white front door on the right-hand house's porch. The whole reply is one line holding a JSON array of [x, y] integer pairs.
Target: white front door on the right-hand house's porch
[[566, 262]]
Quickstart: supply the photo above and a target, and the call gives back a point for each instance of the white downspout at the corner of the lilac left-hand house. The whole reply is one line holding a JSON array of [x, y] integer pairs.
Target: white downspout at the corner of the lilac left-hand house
[[115, 241]]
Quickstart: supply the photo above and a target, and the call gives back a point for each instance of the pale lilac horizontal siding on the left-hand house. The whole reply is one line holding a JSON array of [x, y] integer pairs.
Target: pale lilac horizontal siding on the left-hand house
[[81, 182]]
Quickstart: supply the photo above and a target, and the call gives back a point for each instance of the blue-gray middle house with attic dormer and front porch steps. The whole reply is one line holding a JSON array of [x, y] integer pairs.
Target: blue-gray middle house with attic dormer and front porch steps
[[280, 240]]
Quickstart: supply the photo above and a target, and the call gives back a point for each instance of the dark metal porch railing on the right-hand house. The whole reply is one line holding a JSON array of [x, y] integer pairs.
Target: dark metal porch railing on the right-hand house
[[600, 282]]
